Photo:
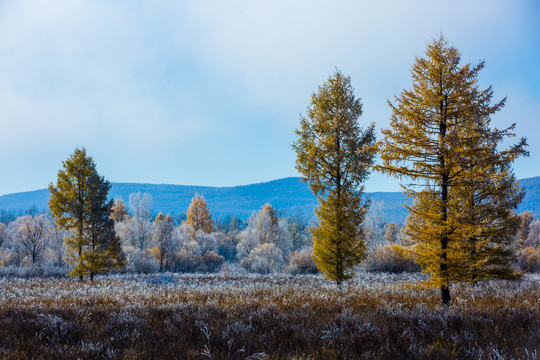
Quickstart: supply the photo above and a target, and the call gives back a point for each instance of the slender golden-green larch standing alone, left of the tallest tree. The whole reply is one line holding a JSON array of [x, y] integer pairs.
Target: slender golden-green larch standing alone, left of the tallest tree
[[334, 155]]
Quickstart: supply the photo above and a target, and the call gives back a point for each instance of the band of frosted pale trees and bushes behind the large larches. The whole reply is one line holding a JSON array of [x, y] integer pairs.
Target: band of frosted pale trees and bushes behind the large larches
[[31, 244]]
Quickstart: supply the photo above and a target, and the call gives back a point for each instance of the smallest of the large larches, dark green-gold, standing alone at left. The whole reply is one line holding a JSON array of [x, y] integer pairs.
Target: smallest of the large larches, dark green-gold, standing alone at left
[[79, 204]]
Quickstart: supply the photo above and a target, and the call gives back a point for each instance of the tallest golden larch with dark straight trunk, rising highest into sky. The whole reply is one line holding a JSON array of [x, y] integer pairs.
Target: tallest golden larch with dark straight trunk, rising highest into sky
[[440, 139]]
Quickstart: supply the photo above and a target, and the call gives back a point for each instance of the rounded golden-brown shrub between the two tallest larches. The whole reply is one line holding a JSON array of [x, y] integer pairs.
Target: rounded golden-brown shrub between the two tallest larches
[[392, 258]]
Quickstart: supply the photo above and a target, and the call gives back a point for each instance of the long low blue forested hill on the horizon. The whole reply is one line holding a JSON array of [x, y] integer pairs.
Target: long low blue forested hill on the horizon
[[289, 195]]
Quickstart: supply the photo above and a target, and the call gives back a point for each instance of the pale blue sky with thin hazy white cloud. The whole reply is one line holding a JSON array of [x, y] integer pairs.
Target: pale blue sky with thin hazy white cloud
[[210, 92]]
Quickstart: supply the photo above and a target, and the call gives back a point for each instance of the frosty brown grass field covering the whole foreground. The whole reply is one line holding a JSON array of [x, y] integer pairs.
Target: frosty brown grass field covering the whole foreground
[[224, 316]]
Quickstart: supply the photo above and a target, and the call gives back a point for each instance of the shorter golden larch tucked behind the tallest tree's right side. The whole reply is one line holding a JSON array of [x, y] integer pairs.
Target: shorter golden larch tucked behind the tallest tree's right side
[[485, 200]]
